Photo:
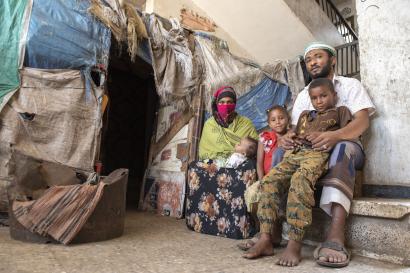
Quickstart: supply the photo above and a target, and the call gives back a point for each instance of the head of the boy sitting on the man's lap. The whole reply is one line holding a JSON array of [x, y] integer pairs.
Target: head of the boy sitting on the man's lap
[[322, 94]]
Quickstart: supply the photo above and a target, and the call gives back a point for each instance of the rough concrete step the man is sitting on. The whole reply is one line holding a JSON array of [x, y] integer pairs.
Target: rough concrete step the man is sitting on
[[377, 228]]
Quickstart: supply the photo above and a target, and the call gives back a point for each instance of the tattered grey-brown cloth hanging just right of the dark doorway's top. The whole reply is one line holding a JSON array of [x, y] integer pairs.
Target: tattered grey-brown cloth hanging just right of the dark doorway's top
[[177, 70]]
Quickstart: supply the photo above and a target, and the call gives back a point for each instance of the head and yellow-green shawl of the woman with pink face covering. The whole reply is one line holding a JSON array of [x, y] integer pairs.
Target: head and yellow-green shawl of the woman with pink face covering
[[225, 128]]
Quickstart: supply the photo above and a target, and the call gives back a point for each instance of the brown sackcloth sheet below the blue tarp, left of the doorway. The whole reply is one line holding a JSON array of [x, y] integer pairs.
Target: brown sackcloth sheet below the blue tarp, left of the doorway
[[50, 118]]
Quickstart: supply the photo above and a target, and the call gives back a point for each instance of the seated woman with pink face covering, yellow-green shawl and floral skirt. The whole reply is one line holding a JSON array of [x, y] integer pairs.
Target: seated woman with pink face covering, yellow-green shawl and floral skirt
[[215, 203]]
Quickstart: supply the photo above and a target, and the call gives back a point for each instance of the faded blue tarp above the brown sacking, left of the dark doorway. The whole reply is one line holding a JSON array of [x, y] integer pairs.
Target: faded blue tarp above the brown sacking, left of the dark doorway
[[62, 34]]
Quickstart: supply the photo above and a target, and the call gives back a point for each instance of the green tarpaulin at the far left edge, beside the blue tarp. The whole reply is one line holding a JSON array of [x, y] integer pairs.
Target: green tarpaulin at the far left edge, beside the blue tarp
[[12, 14]]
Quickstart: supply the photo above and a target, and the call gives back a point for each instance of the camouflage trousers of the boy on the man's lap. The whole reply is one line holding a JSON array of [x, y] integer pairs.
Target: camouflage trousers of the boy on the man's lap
[[297, 173]]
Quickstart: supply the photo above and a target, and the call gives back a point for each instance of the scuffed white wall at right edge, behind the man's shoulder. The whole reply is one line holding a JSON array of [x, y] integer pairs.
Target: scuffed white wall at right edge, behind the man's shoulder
[[384, 39]]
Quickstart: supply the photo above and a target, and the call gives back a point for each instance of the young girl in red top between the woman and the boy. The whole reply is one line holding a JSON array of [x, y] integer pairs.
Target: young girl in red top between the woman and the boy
[[268, 155]]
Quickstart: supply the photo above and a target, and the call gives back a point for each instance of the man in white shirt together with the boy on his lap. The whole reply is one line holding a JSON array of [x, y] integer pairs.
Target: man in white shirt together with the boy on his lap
[[346, 155]]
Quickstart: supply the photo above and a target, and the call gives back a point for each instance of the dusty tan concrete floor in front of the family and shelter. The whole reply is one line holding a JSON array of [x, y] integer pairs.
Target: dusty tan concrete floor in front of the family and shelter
[[154, 243]]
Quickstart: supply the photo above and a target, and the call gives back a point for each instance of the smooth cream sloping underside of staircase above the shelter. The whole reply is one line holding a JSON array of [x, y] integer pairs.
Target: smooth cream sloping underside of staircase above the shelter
[[268, 29]]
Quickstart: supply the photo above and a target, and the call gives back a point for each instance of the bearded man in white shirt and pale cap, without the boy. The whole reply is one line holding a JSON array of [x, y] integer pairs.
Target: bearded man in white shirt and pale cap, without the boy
[[338, 183]]
